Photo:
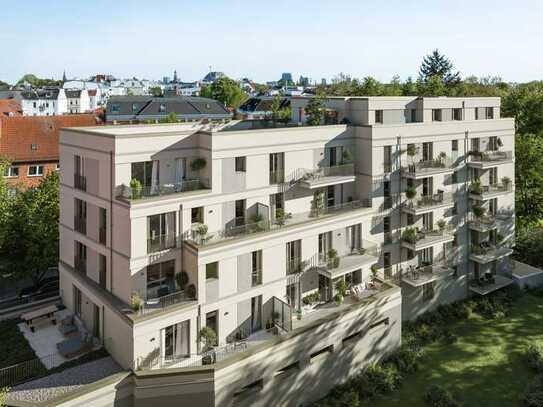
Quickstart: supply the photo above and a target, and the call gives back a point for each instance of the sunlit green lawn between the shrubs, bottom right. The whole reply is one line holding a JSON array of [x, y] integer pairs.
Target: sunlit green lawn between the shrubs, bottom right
[[484, 367]]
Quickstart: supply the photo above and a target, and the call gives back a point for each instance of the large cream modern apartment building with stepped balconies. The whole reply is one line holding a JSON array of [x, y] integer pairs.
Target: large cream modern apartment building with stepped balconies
[[292, 252]]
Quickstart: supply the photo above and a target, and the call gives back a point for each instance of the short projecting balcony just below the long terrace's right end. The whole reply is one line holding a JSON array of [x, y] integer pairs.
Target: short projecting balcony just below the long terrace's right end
[[333, 267]]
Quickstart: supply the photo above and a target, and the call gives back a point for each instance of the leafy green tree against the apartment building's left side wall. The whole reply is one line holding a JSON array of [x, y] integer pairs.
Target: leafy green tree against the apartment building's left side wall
[[32, 230]]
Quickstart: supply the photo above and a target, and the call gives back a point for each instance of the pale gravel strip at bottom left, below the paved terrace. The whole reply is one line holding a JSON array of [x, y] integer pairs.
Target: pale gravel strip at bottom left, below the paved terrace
[[55, 385]]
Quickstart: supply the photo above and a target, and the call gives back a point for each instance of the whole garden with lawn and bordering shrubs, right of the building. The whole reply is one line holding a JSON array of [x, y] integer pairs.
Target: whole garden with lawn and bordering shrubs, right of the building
[[484, 351]]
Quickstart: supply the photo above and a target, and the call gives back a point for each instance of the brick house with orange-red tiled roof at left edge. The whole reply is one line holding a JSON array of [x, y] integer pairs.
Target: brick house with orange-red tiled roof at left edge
[[31, 144]]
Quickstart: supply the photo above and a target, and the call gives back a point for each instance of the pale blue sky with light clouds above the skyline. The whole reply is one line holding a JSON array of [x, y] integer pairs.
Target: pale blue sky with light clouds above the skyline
[[262, 39]]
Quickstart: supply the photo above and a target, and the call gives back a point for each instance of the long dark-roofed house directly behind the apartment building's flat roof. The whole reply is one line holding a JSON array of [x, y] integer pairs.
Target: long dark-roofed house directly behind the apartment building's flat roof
[[143, 108]]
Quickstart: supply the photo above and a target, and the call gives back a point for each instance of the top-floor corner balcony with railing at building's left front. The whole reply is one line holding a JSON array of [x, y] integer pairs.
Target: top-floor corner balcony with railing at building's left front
[[135, 193]]
